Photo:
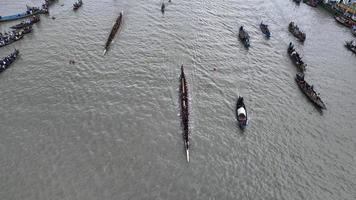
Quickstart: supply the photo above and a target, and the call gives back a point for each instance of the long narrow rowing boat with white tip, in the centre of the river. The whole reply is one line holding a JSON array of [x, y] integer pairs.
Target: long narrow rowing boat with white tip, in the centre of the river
[[183, 91]]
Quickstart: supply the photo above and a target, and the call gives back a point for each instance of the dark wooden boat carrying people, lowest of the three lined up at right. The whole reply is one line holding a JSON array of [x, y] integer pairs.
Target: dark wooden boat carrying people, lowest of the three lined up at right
[[309, 91]]
